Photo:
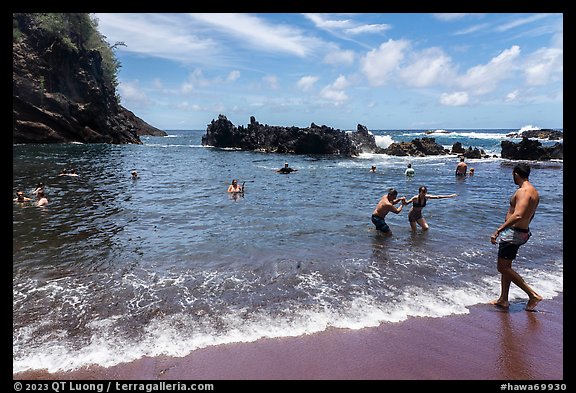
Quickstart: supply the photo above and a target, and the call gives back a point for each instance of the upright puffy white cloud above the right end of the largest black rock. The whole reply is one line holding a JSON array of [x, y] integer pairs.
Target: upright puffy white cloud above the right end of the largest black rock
[[378, 64]]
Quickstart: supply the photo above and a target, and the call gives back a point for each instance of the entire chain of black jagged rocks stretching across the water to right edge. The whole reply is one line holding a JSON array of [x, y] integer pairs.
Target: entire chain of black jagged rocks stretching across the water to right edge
[[222, 133]]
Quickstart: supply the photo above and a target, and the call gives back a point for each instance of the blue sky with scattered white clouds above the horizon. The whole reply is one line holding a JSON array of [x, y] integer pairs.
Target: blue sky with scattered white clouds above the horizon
[[382, 70]]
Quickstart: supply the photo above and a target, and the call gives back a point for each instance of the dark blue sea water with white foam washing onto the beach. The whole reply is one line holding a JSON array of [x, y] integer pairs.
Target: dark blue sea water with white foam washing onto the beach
[[114, 269]]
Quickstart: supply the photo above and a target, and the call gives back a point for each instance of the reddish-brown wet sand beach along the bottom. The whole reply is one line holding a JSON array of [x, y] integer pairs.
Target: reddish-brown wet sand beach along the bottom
[[486, 344]]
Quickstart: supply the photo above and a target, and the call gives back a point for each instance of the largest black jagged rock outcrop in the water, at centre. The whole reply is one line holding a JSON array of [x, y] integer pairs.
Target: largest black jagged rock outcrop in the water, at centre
[[311, 140]]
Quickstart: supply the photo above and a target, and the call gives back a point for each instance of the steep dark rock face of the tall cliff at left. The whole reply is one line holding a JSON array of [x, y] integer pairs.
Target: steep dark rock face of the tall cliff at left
[[61, 93]]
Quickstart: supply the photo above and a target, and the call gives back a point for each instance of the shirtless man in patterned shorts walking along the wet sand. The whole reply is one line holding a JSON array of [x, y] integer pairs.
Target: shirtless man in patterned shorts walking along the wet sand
[[513, 233]]
